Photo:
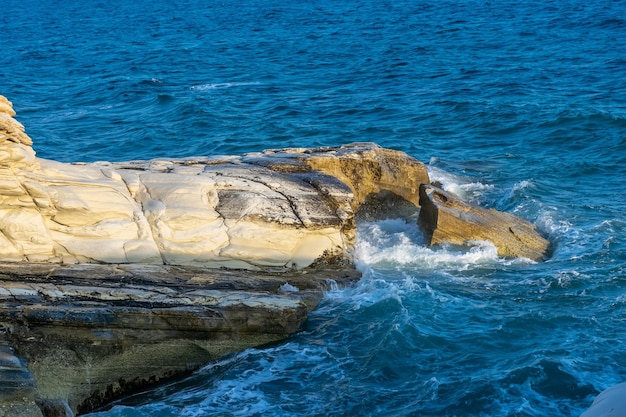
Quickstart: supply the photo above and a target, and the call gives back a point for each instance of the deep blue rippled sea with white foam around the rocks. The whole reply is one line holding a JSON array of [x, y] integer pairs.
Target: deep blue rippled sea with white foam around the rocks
[[515, 105]]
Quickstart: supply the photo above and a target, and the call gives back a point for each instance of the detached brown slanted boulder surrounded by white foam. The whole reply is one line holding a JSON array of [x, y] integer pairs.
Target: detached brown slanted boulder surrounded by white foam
[[444, 218]]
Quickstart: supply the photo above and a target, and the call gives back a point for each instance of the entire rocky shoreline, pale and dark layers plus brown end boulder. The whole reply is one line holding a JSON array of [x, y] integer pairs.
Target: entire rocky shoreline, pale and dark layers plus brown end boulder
[[116, 276]]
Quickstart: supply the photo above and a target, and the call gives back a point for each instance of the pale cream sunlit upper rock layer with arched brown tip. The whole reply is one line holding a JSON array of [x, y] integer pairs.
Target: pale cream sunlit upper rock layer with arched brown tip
[[286, 208]]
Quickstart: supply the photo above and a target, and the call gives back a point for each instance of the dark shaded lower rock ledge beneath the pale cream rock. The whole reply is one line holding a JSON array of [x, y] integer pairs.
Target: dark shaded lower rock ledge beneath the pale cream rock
[[90, 333]]
